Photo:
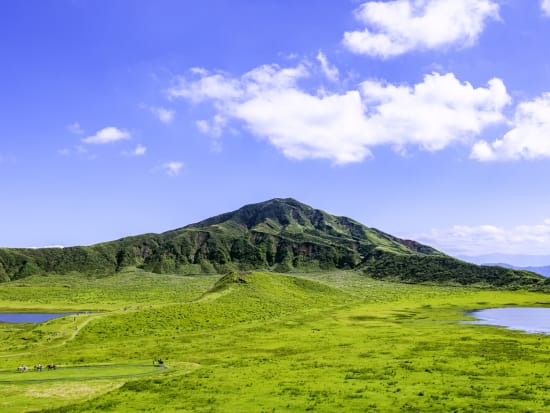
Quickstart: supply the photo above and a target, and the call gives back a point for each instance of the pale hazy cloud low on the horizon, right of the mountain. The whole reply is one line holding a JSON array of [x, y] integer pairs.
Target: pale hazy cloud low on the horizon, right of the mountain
[[487, 239]]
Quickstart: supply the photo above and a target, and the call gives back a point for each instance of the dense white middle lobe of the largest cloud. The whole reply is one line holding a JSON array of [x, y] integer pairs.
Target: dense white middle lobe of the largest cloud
[[306, 126]]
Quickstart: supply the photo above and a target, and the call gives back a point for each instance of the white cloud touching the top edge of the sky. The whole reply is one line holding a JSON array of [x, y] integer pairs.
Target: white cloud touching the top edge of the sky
[[400, 26]]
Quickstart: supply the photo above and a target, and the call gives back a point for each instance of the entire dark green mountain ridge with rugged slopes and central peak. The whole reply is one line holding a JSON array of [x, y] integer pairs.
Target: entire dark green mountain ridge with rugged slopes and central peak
[[281, 235]]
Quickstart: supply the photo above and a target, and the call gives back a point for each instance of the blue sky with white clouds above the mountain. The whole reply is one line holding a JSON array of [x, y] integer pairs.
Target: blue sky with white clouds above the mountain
[[428, 119]]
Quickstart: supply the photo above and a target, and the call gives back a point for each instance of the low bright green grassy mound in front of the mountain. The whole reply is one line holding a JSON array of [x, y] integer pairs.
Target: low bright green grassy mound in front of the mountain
[[234, 299]]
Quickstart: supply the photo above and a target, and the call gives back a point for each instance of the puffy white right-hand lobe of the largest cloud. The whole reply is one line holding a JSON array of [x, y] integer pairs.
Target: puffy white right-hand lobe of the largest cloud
[[435, 113]]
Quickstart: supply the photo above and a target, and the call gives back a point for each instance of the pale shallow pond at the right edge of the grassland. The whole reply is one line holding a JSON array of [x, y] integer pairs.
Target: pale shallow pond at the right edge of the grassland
[[528, 319]]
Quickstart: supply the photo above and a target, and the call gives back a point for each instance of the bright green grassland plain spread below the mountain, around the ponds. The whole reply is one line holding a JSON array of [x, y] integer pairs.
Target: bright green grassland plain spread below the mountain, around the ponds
[[261, 342]]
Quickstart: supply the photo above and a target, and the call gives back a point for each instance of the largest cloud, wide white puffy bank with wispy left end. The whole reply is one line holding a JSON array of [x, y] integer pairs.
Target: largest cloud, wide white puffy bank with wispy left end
[[343, 126]]
